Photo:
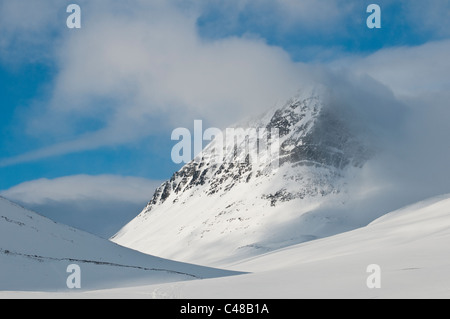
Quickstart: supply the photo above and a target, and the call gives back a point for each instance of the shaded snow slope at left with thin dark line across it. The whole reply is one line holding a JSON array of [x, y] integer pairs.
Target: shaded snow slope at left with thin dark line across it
[[35, 253]]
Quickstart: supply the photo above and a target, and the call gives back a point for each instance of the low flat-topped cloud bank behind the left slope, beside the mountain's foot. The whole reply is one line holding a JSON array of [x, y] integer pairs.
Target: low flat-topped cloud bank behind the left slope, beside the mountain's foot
[[97, 204]]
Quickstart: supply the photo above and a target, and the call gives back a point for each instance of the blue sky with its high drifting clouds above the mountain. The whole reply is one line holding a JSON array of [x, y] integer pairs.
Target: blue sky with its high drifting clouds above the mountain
[[103, 100]]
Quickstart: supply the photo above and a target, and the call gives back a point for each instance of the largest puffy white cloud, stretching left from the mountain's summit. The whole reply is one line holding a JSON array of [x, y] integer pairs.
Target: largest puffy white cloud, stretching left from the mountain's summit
[[141, 69]]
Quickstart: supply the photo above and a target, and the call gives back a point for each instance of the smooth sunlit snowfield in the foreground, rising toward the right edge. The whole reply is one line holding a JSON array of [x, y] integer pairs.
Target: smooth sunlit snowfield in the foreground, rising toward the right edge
[[411, 246]]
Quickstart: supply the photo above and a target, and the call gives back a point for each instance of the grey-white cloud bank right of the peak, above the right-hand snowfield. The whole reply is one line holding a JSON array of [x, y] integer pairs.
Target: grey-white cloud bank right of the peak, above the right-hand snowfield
[[413, 162]]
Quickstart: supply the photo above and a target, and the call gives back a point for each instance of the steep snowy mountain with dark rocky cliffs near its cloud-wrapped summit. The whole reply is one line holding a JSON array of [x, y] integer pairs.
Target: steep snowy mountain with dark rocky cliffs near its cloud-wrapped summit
[[211, 212]]
